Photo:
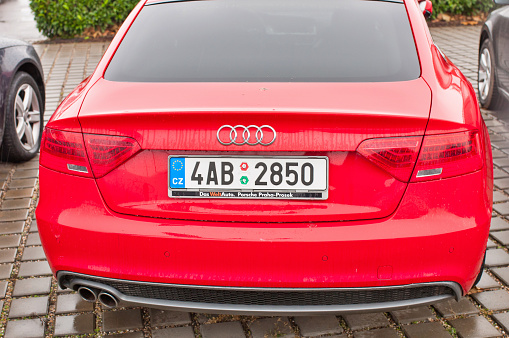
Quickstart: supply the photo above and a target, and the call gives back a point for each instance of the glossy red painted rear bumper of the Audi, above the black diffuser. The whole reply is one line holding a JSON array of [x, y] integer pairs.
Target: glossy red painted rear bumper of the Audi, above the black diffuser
[[438, 233]]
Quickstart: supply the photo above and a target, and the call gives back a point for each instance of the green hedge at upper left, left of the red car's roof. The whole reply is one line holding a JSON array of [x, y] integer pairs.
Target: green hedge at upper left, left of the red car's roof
[[69, 18]]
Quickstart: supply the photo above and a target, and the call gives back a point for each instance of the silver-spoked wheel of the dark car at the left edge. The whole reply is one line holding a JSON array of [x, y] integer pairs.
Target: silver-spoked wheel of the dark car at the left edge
[[23, 120]]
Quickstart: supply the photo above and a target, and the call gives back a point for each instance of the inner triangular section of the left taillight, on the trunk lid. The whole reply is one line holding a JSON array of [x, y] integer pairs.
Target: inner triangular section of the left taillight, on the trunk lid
[[108, 152]]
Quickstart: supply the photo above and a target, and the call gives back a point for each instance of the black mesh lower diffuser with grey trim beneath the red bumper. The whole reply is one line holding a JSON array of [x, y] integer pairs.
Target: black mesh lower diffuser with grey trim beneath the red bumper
[[263, 301]]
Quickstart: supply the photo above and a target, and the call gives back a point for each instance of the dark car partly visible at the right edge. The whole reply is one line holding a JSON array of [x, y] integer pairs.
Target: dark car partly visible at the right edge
[[493, 80]]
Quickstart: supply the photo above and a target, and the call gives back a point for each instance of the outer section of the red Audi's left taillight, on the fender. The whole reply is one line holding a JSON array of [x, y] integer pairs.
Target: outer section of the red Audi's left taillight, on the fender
[[65, 152]]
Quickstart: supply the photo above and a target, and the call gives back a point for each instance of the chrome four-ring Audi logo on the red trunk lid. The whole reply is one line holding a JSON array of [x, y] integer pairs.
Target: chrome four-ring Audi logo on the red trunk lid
[[251, 135]]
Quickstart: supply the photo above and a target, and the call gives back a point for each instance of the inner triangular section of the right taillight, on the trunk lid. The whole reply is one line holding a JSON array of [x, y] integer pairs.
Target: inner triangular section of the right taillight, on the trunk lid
[[395, 155]]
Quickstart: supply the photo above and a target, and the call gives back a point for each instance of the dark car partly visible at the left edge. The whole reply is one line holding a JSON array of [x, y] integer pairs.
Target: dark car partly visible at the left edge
[[21, 100]]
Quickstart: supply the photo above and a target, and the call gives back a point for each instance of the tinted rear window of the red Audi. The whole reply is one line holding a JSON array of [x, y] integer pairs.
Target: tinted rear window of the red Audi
[[268, 41]]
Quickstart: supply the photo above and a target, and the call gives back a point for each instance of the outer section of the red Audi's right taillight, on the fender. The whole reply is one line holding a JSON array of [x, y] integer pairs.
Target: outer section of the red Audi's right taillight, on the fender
[[448, 155]]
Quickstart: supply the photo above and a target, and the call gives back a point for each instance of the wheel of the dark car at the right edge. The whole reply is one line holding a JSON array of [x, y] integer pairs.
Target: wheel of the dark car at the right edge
[[489, 96]]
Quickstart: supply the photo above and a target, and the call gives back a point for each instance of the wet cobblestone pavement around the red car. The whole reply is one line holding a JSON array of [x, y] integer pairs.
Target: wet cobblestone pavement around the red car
[[33, 306]]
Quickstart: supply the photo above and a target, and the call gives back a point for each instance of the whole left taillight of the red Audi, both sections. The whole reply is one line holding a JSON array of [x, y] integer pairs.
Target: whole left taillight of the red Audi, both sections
[[87, 155]]
